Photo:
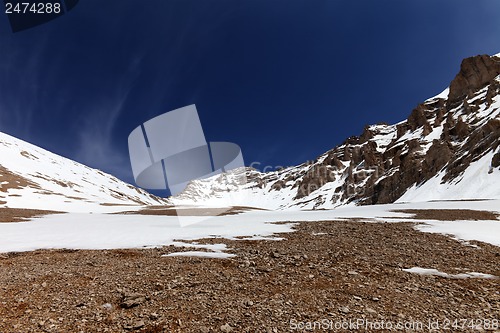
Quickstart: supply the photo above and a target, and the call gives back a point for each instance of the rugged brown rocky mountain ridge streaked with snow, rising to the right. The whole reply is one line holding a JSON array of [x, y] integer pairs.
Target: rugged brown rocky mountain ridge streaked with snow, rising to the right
[[446, 149]]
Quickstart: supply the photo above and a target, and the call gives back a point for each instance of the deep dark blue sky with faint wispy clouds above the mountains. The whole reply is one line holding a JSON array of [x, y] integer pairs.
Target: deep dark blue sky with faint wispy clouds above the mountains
[[285, 79]]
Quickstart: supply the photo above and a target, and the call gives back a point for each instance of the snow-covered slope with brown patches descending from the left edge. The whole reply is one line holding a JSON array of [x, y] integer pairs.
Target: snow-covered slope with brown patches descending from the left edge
[[31, 177]]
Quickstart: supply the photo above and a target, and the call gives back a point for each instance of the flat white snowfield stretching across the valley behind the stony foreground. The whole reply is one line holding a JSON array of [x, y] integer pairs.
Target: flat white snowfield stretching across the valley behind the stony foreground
[[106, 231]]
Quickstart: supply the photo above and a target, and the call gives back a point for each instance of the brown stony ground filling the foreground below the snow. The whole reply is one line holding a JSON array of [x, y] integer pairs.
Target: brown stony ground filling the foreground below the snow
[[337, 271]]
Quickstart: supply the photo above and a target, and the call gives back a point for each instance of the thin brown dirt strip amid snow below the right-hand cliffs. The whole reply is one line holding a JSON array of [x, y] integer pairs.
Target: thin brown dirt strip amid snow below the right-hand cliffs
[[449, 214]]
